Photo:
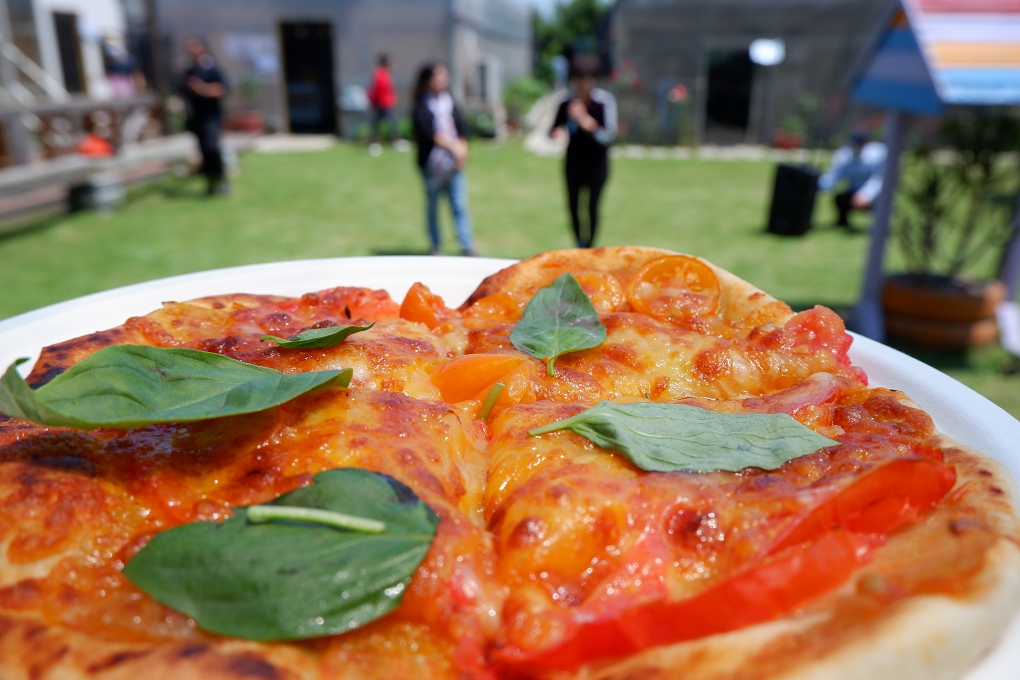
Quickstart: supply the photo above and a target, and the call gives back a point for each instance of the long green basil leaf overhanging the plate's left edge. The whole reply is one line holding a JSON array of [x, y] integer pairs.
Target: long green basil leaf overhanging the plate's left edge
[[132, 386]]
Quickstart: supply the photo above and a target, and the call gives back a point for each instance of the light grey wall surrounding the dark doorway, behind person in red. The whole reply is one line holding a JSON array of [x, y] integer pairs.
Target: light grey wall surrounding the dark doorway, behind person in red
[[244, 38]]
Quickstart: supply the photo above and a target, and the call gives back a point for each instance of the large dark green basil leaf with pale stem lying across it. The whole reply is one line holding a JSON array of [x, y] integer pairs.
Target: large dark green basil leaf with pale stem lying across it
[[293, 581]]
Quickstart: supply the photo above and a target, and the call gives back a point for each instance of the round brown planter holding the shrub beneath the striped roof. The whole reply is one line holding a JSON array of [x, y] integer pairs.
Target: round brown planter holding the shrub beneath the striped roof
[[942, 312]]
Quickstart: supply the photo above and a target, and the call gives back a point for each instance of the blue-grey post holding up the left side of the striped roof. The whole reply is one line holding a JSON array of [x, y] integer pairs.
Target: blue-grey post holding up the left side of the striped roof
[[869, 320]]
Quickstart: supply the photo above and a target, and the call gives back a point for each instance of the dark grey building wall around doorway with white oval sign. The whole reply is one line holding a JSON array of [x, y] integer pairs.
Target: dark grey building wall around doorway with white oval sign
[[671, 41]]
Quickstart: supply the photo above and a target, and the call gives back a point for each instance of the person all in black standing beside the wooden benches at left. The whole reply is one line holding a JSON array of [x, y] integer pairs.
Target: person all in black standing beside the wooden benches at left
[[203, 88]]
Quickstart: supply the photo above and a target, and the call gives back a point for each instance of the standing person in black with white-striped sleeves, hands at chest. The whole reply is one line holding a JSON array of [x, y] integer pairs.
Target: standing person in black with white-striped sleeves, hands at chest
[[588, 115]]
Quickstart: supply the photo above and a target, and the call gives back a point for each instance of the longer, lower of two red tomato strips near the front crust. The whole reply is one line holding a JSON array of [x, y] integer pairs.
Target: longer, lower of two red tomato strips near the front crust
[[761, 593]]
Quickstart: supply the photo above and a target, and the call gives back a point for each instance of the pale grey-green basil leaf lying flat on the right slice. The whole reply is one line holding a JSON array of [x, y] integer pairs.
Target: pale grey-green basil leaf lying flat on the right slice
[[667, 438]]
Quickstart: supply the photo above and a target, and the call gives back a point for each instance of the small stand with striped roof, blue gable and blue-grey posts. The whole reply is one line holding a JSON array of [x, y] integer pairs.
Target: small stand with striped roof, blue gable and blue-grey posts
[[929, 55]]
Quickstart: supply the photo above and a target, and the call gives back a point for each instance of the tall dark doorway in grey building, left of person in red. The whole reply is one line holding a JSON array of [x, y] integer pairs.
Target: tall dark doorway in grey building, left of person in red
[[308, 49]]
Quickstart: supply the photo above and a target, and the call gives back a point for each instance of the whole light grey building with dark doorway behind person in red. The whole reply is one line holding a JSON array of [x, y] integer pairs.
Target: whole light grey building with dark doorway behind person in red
[[312, 60]]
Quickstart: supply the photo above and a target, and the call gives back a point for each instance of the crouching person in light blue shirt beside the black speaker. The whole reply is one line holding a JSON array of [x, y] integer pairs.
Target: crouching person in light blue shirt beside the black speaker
[[862, 165]]
